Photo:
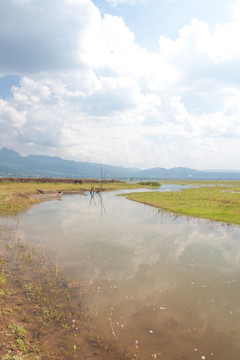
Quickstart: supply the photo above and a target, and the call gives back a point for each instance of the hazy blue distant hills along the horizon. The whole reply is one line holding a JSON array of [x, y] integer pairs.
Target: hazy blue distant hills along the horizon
[[13, 164]]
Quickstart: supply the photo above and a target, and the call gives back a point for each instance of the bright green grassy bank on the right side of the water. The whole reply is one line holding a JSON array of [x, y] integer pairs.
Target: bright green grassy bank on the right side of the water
[[218, 202]]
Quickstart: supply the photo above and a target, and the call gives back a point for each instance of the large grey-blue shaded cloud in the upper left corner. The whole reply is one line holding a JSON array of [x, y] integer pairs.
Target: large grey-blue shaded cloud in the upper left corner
[[42, 36]]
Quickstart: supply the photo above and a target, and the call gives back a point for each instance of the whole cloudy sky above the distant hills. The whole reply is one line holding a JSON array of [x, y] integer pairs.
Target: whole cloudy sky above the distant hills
[[133, 83]]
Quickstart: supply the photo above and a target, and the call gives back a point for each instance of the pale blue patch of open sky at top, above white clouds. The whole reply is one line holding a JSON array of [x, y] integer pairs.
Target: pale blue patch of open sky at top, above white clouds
[[151, 18]]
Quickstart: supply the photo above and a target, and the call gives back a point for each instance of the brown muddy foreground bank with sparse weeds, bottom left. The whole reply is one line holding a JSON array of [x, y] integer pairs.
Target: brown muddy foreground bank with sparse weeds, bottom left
[[42, 316]]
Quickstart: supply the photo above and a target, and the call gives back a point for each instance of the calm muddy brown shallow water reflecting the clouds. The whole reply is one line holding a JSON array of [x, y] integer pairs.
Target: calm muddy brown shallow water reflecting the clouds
[[172, 283]]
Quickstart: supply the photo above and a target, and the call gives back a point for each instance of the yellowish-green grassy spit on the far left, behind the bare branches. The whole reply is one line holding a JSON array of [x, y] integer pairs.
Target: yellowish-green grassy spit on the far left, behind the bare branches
[[18, 195]]
